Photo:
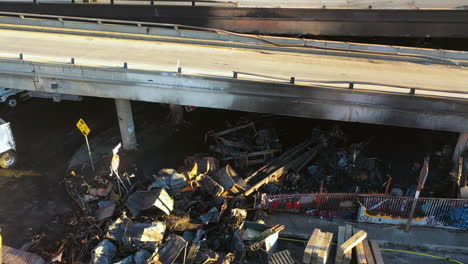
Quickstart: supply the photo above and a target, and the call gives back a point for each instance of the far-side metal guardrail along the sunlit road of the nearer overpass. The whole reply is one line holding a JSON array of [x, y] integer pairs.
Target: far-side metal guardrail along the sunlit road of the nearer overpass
[[398, 53]]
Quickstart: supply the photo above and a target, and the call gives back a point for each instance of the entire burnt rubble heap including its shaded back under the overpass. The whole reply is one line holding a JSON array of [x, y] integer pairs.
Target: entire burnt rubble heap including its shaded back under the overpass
[[205, 211]]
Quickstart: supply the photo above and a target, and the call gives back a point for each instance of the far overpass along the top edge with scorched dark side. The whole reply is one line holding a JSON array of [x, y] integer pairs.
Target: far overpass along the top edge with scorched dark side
[[351, 18]]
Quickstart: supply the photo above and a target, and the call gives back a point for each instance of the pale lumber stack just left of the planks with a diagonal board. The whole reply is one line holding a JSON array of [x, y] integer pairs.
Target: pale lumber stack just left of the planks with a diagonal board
[[318, 247]]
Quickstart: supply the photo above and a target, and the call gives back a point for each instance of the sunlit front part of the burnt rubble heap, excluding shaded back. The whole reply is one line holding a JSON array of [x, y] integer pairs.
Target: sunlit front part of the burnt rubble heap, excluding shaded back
[[197, 214]]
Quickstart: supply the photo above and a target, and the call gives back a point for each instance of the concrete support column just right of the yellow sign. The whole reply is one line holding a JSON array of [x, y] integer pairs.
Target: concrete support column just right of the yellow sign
[[127, 127]]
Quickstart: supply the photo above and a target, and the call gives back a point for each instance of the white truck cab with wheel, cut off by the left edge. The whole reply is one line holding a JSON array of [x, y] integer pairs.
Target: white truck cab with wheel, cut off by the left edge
[[8, 155]]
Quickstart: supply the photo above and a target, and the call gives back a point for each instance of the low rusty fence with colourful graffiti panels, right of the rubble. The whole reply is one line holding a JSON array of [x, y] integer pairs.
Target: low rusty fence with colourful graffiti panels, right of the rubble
[[375, 208]]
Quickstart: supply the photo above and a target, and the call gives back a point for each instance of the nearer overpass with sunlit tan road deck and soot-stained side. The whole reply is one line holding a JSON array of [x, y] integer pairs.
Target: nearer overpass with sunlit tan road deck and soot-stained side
[[174, 64]]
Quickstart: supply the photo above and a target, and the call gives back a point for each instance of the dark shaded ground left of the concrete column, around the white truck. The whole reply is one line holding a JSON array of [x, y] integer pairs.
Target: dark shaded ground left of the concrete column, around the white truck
[[32, 196]]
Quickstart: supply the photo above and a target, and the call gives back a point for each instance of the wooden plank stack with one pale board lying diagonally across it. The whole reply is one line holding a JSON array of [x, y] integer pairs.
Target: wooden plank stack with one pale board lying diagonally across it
[[367, 252]]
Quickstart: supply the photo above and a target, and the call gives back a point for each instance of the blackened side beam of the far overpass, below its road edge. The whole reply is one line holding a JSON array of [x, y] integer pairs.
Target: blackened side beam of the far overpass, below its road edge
[[441, 23]]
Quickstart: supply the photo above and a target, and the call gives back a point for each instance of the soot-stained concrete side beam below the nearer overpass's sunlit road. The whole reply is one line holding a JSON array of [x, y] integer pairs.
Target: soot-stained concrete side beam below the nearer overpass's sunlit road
[[312, 101]]
